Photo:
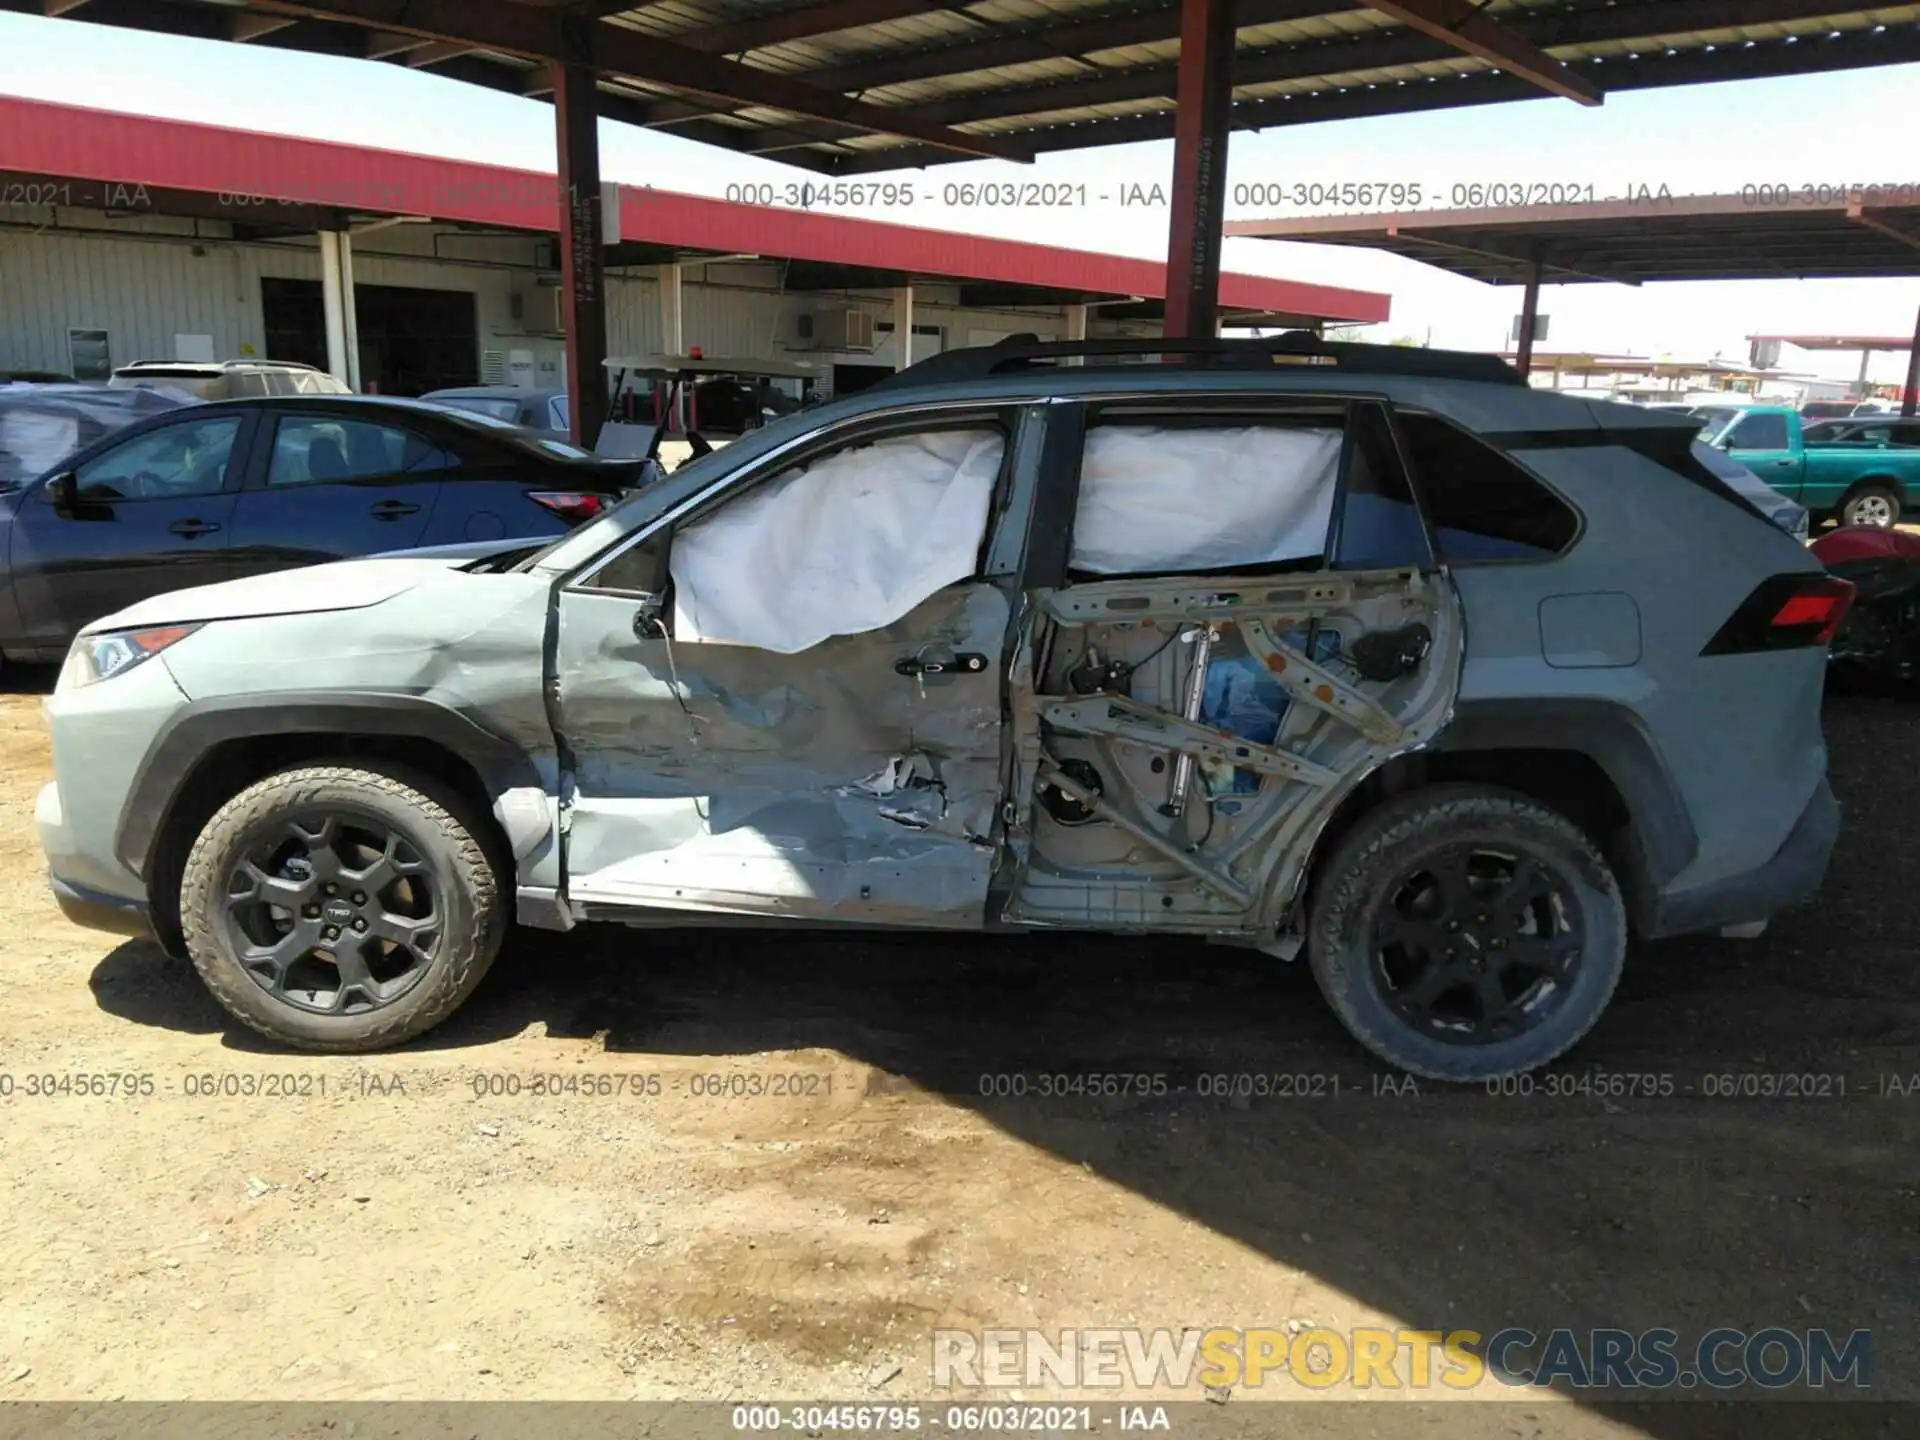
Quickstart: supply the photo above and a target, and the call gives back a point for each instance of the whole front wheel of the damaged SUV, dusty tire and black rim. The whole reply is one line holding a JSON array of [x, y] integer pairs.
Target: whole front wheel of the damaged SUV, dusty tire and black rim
[[341, 907]]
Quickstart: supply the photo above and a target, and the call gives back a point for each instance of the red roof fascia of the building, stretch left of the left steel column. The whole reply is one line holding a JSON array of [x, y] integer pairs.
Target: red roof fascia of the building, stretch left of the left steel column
[[97, 145]]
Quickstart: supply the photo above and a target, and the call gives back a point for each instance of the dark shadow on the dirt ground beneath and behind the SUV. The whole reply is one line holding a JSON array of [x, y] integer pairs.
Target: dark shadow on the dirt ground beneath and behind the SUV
[[1447, 1209]]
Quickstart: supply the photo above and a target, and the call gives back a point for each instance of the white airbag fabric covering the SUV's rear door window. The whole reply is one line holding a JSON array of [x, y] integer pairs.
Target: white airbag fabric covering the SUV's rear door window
[[1163, 502]]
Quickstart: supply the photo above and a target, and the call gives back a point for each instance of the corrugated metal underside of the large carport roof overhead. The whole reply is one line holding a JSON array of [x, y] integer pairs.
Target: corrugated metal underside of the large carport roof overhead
[[1070, 74]]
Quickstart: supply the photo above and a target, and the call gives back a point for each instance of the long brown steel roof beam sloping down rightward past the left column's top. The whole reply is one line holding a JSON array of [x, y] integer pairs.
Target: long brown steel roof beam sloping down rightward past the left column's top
[[533, 34]]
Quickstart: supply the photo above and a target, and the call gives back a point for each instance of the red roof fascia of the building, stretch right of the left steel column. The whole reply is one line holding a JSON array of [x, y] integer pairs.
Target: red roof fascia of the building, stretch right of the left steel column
[[731, 229]]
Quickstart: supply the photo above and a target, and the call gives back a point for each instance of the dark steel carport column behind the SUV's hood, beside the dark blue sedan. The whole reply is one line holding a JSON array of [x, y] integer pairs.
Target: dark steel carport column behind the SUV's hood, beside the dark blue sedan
[[583, 249]]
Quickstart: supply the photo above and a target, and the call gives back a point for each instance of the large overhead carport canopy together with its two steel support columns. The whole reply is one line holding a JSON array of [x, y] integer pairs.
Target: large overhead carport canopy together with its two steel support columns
[[855, 87]]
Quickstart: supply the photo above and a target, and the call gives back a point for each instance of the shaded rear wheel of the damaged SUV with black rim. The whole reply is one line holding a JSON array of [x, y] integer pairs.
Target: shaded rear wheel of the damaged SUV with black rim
[[1466, 932]]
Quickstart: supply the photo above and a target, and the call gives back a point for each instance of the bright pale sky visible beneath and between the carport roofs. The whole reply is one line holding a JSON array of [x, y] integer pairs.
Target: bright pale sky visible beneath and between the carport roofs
[[1852, 128]]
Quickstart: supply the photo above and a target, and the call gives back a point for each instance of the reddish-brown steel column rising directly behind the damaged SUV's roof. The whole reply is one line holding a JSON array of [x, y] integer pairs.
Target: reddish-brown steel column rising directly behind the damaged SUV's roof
[[1199, 168]]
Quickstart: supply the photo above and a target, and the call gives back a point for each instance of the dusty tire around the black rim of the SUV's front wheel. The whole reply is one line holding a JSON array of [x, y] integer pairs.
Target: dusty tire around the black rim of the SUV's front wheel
[[443, 827]]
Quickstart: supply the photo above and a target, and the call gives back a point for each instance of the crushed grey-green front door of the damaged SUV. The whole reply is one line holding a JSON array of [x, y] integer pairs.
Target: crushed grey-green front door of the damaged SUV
[[857, 779]]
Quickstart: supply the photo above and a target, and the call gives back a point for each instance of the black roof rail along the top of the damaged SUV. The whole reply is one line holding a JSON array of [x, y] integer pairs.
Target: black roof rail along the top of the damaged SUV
[[1024, 352]]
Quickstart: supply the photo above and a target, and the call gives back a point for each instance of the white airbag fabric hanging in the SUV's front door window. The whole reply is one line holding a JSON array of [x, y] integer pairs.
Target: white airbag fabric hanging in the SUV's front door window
[[846, 546]]
